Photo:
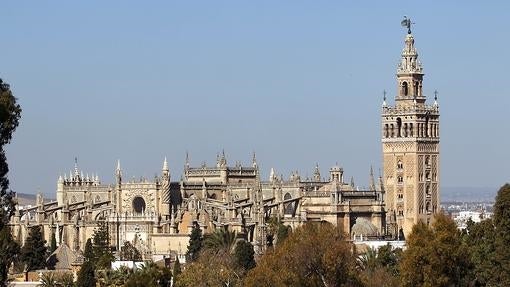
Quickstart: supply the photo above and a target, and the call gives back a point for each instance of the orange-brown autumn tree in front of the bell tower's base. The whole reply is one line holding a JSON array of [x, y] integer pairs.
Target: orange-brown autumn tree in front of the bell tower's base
[[435, 256]]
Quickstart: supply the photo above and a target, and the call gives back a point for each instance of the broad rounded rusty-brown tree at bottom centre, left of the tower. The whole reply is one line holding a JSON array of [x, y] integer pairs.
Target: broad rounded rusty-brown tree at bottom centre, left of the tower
[[315, 254]]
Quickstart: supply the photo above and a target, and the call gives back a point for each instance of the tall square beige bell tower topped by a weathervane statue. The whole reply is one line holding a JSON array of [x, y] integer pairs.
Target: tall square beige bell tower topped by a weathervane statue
[[410, 144]]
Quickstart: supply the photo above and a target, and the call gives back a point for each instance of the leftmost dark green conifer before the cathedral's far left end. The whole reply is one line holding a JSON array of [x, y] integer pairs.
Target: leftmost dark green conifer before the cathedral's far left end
[[33, 253]]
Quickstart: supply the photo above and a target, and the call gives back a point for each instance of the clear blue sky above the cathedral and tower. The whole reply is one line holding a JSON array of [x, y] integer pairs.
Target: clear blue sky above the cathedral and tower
[[298, 82]]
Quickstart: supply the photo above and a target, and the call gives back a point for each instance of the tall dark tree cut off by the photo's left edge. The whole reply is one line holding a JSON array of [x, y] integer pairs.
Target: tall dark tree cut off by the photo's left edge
[[10, 113]]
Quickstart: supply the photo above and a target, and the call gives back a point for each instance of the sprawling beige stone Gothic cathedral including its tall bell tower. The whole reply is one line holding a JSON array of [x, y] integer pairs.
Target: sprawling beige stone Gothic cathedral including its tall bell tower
[[156, 215]]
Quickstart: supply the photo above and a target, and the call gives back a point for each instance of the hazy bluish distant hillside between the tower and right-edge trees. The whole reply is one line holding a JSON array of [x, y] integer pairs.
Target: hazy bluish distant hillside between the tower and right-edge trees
[[468, 194]]
